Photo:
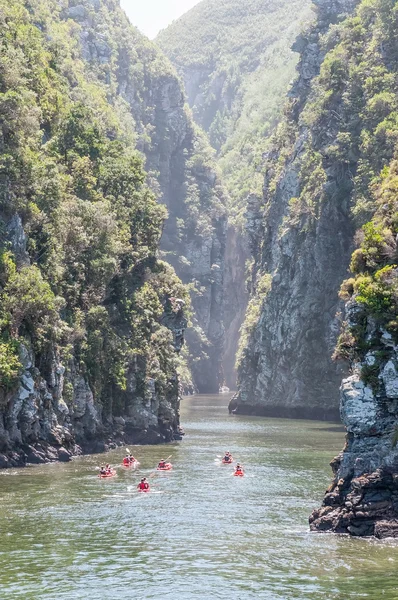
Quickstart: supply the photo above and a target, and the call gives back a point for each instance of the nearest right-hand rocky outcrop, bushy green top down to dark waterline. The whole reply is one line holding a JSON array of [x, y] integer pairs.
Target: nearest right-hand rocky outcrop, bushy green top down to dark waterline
[[363, 497]]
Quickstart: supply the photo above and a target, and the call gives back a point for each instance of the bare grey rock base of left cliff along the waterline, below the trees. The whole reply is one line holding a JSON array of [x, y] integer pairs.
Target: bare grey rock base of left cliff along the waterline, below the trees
[[37, 425]]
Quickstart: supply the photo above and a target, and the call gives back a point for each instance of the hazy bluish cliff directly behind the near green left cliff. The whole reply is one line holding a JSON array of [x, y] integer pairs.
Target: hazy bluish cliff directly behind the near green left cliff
[[180, 167]]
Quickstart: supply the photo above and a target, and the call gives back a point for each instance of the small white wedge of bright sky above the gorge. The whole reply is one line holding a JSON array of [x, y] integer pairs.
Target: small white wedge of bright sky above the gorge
[[152, 15]]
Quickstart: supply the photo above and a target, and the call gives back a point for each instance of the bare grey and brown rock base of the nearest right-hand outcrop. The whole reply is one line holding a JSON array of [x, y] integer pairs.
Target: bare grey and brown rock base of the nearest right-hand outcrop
[[363, 497]]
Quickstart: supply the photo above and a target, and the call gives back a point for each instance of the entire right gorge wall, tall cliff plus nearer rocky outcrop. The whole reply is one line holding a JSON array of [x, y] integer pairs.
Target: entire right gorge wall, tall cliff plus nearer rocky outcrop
[[333, 172]]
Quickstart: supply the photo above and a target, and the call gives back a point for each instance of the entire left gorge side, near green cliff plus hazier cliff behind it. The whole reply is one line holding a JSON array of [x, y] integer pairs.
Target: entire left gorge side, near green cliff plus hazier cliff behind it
[[91, 320]]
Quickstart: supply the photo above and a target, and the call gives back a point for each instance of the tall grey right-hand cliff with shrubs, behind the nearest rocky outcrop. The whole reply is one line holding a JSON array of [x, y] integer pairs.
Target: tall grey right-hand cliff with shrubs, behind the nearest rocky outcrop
[[318, 187]]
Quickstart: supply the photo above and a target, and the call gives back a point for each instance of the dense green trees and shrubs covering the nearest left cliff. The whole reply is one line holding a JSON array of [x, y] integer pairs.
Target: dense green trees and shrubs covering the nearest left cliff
[[80, 280]]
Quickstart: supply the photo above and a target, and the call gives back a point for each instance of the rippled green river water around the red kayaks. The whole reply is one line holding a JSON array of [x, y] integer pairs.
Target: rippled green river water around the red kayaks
[[67, 535]]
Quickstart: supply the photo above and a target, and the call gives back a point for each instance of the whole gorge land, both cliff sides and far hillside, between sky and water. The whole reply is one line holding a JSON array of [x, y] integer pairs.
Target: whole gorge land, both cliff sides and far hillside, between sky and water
[[217, 207]]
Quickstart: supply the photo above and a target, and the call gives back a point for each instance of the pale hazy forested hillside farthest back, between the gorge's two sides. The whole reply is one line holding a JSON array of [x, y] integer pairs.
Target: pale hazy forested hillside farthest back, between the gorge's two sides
[[236, 63]]
